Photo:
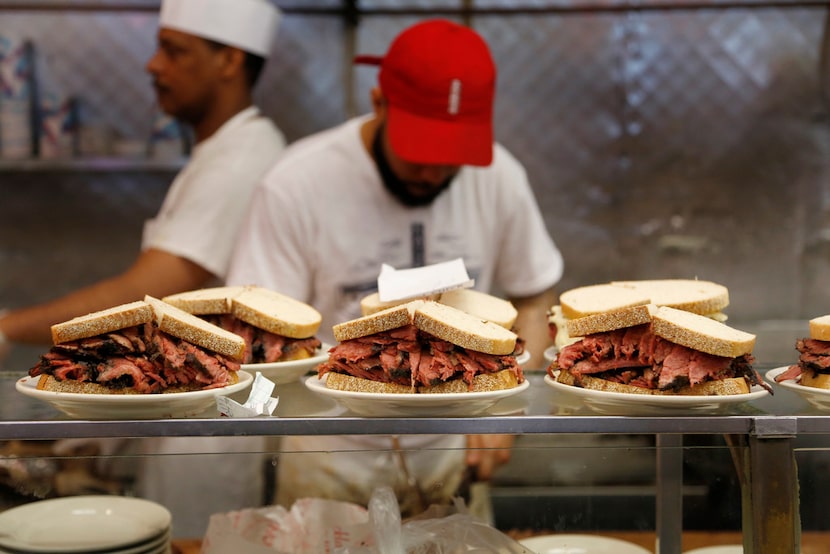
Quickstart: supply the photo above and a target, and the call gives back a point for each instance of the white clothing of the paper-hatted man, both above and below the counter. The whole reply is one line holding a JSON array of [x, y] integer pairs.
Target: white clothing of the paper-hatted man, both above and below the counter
[[199, 220]]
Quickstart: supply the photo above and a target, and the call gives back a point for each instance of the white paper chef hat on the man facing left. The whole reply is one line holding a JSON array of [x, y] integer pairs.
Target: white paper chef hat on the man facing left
[[249, 25]]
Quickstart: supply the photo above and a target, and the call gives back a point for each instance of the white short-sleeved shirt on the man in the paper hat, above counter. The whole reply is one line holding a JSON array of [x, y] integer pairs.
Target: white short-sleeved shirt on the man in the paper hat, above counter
[[209, 197]]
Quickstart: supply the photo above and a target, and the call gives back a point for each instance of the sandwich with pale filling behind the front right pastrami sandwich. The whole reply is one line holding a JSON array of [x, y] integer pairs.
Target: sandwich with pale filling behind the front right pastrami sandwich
[[691, 295]]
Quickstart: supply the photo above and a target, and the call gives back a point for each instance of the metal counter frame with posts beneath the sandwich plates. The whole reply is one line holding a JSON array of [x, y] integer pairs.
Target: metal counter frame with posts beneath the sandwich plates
[[762, 443]]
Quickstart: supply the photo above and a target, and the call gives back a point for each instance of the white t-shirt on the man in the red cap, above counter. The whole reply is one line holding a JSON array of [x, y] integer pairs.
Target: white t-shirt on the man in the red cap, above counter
[[322, 223]]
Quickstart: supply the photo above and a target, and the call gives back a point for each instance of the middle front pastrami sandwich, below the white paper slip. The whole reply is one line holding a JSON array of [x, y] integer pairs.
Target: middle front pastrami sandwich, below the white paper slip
[[421, 347]]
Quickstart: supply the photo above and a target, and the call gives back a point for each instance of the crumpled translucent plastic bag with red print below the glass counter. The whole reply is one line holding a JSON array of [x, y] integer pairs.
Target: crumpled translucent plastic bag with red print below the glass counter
[[317, 526]]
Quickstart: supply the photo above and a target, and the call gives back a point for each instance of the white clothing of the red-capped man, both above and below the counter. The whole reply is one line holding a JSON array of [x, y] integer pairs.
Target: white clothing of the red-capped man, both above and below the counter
[[320, 226]]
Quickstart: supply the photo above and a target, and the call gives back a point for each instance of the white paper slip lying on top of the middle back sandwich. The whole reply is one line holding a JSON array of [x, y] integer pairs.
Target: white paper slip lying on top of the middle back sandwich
[[399, 284]]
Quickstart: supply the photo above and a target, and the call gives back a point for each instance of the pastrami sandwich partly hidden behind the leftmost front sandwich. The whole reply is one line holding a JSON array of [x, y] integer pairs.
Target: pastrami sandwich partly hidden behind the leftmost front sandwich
[[275, 327]]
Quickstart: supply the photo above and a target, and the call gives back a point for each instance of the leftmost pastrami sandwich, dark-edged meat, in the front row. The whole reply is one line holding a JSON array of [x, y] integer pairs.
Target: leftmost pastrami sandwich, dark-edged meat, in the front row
[[142, 347]]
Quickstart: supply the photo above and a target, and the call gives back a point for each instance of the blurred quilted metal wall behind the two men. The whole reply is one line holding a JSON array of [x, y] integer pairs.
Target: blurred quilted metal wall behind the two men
[[662, 138]]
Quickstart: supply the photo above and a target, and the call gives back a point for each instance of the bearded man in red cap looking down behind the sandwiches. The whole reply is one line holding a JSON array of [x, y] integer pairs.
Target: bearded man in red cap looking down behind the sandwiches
[[417, 182]]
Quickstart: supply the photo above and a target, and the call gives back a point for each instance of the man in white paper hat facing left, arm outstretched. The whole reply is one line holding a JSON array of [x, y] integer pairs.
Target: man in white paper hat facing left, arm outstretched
[[210, 53]]
